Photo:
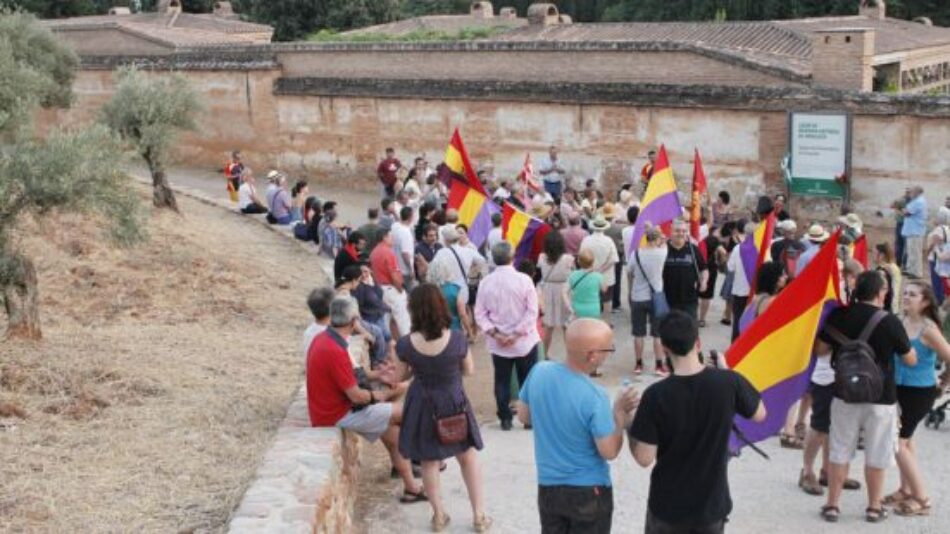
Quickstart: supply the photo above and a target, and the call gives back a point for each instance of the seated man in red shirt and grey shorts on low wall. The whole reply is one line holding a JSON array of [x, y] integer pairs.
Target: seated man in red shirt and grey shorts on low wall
[[334, 398]]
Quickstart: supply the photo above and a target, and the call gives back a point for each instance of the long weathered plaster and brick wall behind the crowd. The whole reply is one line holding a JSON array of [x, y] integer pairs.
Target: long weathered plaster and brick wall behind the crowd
[[335, 129]]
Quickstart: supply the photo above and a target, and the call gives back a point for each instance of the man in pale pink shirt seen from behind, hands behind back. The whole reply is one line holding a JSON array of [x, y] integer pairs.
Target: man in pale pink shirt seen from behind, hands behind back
[[506, 309]]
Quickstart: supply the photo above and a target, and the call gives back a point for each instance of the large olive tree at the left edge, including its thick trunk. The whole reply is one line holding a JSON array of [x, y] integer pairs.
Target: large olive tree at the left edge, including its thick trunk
[[66, 171]]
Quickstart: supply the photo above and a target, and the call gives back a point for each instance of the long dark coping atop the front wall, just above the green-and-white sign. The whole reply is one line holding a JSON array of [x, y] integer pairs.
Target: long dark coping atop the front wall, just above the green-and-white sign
[[665, 95]]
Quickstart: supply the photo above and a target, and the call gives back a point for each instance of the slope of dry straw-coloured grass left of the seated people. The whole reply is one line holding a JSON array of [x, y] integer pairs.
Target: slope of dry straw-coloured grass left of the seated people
[[163, 374]]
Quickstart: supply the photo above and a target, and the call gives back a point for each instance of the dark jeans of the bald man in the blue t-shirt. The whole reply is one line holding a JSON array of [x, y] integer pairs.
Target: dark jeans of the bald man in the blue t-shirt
[[575, 509]]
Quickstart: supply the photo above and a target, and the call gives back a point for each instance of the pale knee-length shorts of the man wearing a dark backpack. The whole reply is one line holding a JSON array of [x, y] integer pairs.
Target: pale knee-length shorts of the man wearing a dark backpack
[[879, 422]]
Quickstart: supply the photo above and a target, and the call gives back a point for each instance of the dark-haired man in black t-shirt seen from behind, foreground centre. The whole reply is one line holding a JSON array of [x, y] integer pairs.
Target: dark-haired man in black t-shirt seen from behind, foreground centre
[[683, 423]]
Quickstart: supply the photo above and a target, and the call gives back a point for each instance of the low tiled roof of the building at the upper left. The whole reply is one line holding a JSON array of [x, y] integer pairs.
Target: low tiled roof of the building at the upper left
[[187, 29]]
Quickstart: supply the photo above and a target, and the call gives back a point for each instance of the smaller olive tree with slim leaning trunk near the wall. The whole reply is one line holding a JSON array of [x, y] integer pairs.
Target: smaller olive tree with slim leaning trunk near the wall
[[150, 112]]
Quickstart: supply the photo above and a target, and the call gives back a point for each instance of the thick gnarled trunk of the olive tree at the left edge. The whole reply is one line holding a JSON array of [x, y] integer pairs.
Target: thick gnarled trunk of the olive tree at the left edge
[[20, 299]]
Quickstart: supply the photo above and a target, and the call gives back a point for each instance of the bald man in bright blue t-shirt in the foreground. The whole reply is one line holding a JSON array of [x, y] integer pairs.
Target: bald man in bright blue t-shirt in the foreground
[[576, 431]]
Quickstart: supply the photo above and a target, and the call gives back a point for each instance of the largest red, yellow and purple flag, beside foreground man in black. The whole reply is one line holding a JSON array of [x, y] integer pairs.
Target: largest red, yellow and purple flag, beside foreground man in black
[[775, 353]]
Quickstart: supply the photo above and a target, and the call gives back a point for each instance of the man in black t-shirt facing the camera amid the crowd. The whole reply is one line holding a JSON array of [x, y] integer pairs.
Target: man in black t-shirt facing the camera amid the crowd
[[684, 273]]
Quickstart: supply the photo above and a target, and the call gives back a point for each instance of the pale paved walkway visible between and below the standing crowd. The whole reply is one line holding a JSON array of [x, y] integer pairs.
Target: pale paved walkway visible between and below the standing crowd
[[765, 493]]
